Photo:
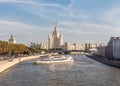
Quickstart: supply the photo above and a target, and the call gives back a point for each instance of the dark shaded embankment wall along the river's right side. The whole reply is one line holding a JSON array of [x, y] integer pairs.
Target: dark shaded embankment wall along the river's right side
[[104, 60]]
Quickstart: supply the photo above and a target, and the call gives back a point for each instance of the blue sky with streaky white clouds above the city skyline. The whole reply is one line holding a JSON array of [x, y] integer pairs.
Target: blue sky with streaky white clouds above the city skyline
[[81, 21]]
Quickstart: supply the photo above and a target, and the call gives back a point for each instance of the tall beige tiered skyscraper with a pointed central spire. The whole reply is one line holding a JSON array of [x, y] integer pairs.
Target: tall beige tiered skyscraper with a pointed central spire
[[55, 41]]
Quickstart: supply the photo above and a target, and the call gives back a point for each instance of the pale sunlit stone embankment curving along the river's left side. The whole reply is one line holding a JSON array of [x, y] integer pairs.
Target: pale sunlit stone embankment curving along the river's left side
[[7, 63]]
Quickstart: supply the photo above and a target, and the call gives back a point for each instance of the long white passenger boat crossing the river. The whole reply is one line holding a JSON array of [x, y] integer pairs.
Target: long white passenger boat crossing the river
[[55, 60]]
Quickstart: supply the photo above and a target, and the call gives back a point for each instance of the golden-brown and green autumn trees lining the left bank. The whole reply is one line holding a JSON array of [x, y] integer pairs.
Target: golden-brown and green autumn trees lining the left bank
[[14, 49]]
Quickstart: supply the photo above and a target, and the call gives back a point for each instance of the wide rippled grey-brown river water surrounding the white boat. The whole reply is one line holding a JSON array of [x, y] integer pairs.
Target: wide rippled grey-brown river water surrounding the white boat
[[83, 72]]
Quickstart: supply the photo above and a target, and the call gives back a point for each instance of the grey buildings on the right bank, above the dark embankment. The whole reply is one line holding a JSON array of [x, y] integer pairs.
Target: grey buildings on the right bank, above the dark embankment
[[112, 50]]
